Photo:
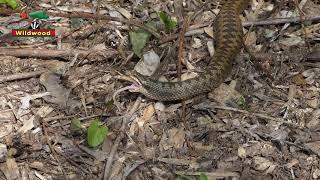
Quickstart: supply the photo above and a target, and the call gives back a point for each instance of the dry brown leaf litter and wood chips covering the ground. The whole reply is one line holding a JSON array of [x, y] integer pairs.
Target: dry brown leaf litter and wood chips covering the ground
[[262, 122]]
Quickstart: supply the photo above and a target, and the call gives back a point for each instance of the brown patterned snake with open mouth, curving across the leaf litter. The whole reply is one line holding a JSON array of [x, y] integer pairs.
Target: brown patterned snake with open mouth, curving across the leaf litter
[[228, 43]]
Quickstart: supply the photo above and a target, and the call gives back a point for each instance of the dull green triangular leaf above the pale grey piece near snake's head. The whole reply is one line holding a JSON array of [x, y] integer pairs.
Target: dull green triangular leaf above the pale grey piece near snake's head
[[138, 38]]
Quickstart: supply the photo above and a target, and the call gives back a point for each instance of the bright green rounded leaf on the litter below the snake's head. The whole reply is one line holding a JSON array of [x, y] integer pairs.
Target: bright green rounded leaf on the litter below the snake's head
[[96, 133]]
